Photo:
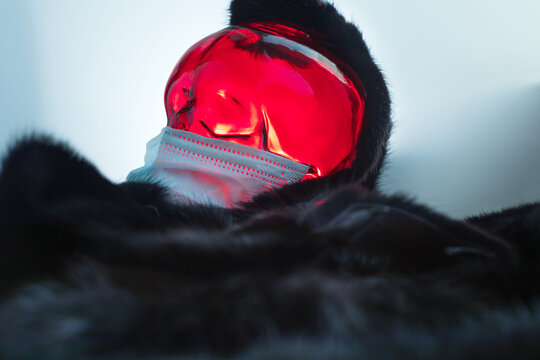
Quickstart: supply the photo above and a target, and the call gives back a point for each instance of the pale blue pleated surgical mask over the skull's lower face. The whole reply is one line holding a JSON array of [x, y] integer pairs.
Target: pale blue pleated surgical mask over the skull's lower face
[[208, 171]]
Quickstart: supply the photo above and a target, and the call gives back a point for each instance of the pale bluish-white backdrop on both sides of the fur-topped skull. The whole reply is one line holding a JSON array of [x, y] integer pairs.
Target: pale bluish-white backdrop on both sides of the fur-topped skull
[[464, 76]]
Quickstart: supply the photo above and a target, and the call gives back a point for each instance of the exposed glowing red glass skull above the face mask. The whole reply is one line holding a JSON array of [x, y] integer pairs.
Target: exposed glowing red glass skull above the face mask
[[261, 86]]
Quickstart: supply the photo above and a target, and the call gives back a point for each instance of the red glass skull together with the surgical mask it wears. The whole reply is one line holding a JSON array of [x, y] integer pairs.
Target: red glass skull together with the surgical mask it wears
[[252, 108]]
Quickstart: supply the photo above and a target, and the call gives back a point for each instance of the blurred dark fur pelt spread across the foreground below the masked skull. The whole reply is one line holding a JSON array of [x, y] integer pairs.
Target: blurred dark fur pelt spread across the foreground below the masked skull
[[91, 269]]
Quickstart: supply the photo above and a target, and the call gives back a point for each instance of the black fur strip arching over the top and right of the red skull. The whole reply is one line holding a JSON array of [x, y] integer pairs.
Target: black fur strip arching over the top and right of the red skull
[[324, 24]]
